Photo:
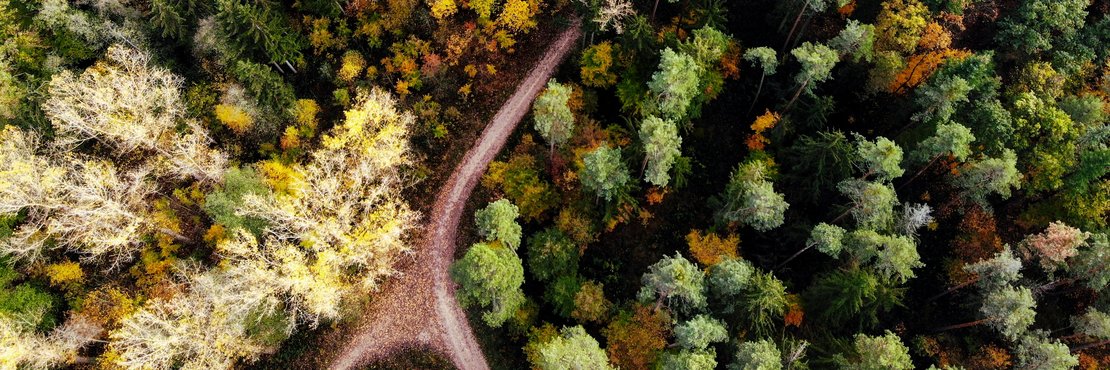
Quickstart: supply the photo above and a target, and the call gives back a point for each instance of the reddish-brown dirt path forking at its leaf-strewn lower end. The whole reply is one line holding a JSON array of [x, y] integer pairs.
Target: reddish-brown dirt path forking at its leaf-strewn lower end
[[418, 309]]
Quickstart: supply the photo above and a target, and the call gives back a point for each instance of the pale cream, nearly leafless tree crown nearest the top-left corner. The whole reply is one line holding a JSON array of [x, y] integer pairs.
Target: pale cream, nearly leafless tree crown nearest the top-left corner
[[147, 98]]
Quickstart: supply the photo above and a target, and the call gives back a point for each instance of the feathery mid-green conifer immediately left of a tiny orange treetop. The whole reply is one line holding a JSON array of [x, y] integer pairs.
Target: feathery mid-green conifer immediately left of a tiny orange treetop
[[763, 303]]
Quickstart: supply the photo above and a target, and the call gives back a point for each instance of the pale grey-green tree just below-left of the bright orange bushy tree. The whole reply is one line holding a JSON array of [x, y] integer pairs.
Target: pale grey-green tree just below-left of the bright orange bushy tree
[[677, 283]]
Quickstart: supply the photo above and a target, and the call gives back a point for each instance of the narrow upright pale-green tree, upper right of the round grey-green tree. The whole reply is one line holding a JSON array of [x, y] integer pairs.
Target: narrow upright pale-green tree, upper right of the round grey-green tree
[[661, 148]]
